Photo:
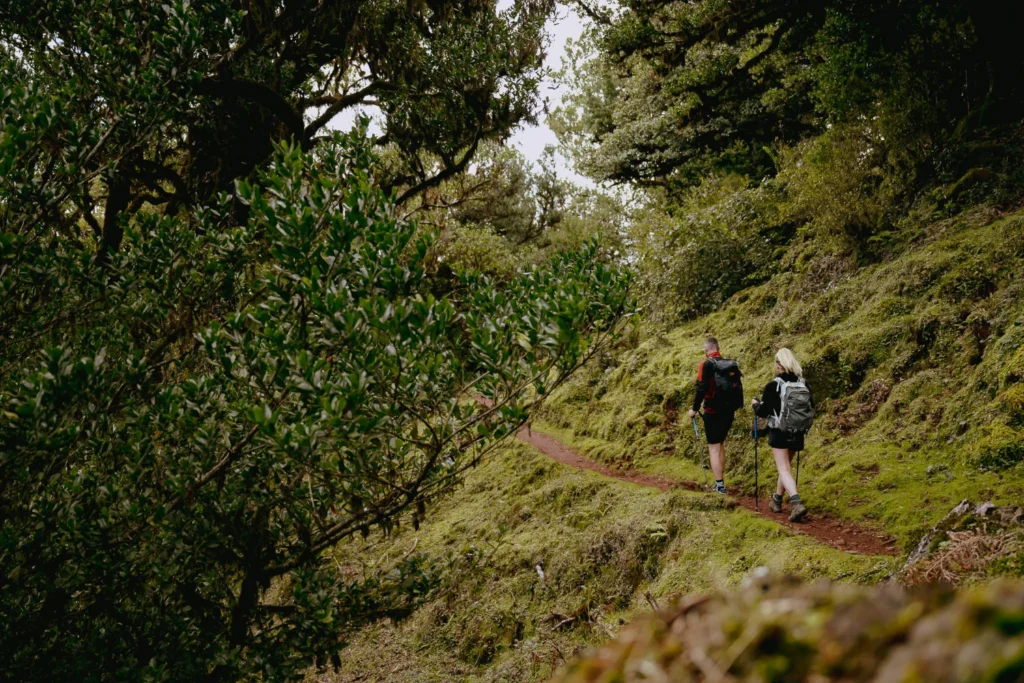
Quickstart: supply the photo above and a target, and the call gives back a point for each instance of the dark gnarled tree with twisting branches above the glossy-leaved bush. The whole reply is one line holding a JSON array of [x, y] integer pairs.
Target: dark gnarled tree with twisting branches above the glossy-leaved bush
[[168, 104]]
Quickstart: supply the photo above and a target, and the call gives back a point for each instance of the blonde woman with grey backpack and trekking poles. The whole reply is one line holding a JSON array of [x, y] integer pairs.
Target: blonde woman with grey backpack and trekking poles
[[787, 403]]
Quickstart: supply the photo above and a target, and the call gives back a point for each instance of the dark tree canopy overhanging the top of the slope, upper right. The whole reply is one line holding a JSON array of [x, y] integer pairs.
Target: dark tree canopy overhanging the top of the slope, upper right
[[679, 91]]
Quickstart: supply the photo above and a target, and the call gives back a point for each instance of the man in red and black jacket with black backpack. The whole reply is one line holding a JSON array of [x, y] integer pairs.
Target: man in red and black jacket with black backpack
[[720, 391]]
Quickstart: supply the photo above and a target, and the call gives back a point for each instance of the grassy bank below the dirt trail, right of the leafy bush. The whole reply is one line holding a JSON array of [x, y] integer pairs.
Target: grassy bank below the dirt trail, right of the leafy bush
[[601, 545]]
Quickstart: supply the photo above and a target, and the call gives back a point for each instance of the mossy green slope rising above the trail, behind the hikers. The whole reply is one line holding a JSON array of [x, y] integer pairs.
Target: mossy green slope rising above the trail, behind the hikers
[[916, 364]]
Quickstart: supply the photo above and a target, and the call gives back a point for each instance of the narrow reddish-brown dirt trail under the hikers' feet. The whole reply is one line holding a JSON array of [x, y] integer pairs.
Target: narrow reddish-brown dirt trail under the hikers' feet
[[838, 534]]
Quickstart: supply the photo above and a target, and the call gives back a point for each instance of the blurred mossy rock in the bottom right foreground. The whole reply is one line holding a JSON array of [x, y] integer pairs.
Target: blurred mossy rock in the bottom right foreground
[[780, 630]]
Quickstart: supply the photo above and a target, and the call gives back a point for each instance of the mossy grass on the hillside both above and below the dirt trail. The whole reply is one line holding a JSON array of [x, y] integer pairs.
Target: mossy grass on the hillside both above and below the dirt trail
[[917, 365]]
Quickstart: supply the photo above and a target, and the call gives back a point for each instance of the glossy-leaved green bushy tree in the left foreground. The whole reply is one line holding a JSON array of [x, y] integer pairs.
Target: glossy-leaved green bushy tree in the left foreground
[[186, 433]]
